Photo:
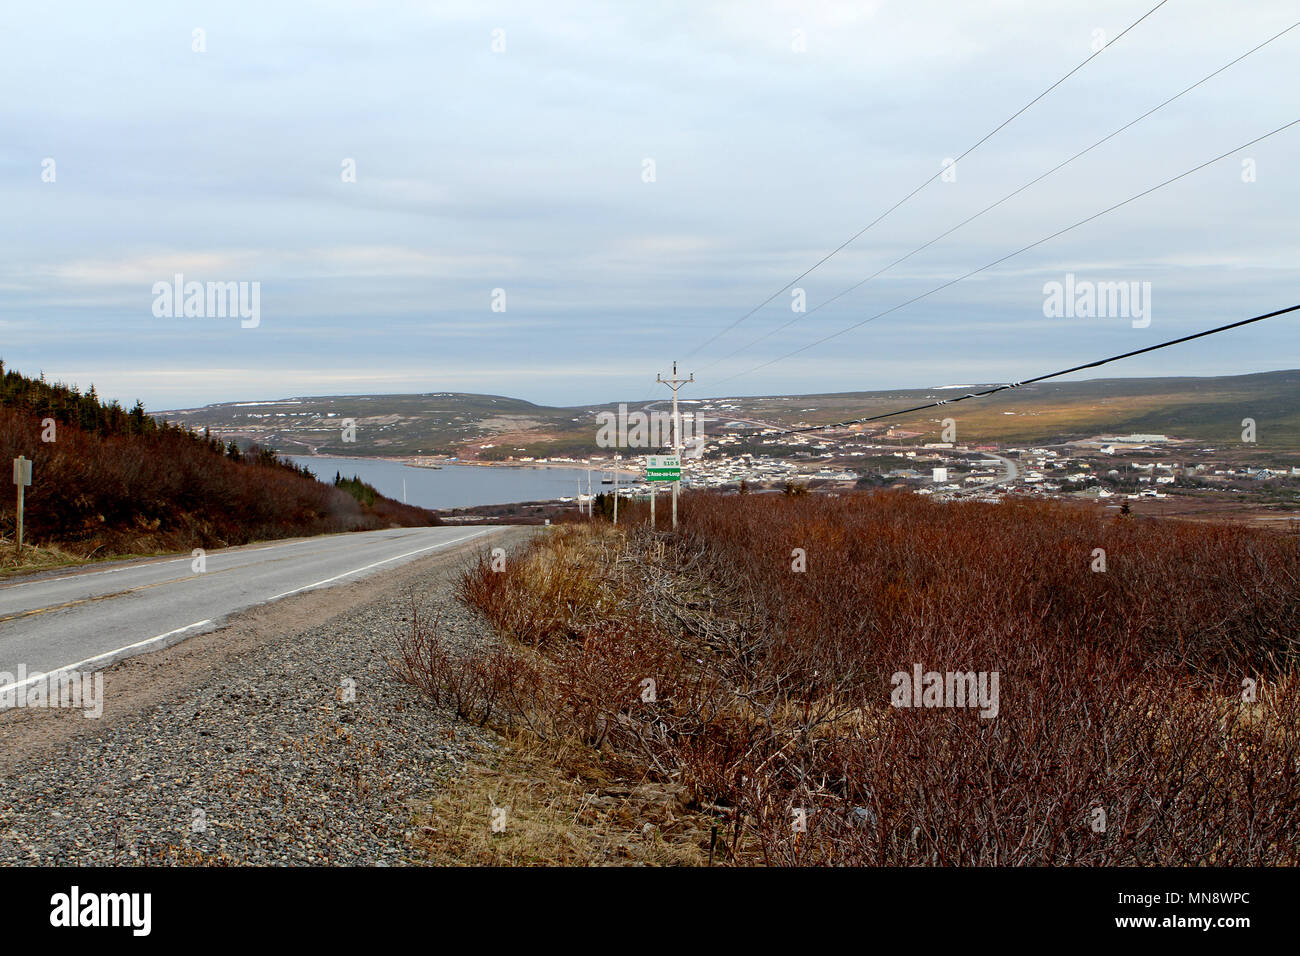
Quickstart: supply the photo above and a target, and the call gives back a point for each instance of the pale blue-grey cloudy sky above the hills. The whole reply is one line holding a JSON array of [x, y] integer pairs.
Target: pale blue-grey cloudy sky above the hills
[[557, 201]]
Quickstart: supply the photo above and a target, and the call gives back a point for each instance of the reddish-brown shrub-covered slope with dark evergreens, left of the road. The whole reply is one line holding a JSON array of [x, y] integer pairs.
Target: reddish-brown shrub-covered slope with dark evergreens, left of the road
[[116, 482]]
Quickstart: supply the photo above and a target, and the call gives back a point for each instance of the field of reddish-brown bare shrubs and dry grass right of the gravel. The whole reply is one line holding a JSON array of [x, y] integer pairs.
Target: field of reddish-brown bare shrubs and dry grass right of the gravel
[[1120, 690]]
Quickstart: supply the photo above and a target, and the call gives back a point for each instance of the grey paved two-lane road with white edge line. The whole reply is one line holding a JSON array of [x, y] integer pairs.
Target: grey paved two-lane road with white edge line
[[88, 620]]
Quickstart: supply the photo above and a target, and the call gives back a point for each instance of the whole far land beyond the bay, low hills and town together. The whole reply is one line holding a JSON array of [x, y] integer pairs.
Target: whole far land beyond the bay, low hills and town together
[[1051, 443]]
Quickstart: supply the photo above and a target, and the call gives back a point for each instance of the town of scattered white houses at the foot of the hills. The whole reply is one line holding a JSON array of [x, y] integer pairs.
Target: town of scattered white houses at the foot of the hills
[[1110, 469]]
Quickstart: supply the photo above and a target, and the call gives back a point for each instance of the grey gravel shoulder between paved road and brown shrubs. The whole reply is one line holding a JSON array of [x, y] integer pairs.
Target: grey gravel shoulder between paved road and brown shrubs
[[246, 746]]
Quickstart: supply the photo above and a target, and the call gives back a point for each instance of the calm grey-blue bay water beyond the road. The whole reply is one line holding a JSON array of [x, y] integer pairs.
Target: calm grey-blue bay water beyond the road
[[456, 486]]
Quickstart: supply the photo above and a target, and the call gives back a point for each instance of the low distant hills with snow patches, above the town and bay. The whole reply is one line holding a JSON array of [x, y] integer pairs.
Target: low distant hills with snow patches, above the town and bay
[[488, 427]]
